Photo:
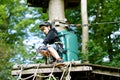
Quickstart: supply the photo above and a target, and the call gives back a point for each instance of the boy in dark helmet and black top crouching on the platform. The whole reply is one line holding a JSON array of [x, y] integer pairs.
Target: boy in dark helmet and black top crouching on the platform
[[49, 47]]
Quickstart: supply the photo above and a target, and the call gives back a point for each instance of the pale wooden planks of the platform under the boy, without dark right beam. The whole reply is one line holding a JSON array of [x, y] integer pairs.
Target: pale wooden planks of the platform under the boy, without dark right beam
[[47, 68]]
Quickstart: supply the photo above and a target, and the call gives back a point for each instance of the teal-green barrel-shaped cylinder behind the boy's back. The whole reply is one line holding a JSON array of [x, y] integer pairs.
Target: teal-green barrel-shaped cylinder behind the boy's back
[[70, 44]]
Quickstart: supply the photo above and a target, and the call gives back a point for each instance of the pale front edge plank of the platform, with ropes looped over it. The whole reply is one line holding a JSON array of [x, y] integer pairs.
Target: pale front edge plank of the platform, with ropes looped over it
[[49, 70]]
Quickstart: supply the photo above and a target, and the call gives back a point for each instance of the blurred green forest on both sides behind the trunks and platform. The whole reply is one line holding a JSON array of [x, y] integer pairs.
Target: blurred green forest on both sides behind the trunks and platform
[[19, 33]]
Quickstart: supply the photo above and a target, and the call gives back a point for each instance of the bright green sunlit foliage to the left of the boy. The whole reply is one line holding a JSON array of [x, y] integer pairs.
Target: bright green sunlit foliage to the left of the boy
[[15, 25]]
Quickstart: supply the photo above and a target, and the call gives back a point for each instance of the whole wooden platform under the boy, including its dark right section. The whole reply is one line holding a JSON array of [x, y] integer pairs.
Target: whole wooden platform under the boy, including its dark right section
[[78, 71]]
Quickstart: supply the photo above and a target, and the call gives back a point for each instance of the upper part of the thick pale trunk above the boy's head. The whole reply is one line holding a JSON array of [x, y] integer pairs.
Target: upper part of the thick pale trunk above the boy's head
[[56, 11]]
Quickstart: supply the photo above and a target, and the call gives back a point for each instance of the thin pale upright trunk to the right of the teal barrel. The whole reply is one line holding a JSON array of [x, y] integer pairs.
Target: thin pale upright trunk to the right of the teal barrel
[[85, 26]]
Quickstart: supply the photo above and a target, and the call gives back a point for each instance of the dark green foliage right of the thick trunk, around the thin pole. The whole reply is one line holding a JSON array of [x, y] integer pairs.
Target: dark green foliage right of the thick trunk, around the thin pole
[[103, 39]]
